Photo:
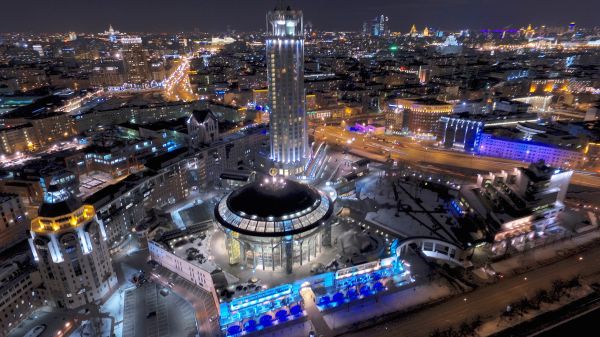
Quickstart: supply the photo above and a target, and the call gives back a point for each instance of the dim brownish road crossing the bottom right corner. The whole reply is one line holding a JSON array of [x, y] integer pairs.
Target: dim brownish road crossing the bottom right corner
[[487, 301]]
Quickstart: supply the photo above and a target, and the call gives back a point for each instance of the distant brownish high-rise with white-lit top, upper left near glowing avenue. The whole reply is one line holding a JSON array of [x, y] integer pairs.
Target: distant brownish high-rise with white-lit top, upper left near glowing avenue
[[135, 60]]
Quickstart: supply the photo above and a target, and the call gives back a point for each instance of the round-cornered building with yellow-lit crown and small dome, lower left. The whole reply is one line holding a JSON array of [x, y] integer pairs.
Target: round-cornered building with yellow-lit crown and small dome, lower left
[[70, 248]]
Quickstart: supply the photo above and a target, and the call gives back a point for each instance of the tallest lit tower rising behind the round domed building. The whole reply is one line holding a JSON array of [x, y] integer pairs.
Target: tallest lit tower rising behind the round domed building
[[285, 75]]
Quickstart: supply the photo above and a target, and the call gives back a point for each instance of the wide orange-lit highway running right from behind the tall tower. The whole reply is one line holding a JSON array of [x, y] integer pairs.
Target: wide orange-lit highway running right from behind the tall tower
[[377, 149]]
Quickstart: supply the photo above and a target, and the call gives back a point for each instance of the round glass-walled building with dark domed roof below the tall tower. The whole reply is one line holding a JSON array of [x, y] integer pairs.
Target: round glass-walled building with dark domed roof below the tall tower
[[275, 224]]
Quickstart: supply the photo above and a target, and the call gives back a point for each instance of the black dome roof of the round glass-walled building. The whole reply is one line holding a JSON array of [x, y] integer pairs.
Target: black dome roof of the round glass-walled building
[[268, 199]]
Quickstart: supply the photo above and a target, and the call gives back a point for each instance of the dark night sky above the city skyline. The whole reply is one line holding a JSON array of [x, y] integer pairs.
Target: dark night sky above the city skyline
[[246, 15]]
